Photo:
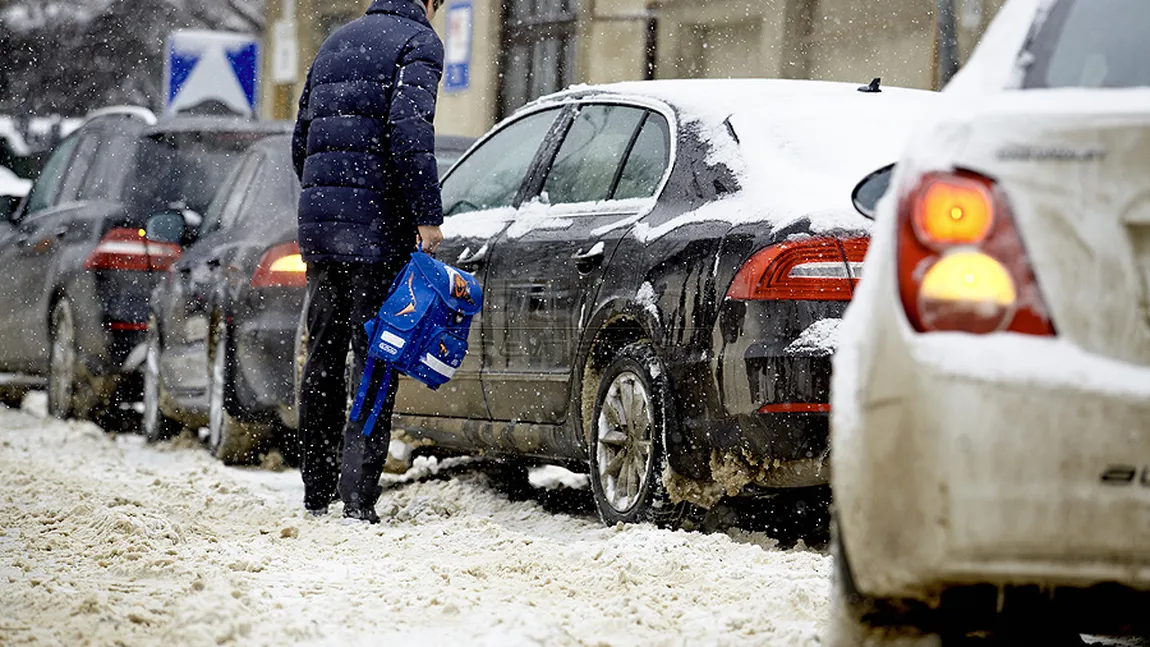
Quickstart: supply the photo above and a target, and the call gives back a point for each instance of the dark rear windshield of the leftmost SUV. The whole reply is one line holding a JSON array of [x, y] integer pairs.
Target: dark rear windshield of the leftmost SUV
[[183, 170]]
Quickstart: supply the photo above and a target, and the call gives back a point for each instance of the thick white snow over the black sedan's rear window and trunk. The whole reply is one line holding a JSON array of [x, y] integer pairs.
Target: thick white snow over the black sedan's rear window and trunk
[[798, 148]]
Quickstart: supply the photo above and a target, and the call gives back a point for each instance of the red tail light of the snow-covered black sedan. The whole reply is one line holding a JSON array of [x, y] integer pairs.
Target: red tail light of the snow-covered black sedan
[[815, 269]]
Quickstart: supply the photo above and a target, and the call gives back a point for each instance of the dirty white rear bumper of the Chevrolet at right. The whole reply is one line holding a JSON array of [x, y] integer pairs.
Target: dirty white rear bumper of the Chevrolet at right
[[1005, 460]]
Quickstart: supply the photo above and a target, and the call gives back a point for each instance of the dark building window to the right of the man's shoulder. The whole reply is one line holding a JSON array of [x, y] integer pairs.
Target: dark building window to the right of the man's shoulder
[[539, 47]]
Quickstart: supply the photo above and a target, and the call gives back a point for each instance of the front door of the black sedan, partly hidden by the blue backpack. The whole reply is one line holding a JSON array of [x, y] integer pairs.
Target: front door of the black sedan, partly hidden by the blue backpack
[[480, 199]]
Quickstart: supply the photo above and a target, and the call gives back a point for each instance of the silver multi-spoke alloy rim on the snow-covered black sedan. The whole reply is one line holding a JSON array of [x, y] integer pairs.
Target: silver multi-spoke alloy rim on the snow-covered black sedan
[[624, 446]]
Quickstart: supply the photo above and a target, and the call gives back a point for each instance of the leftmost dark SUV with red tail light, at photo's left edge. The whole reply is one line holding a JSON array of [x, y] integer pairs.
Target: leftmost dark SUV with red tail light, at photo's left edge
[[75, 267]]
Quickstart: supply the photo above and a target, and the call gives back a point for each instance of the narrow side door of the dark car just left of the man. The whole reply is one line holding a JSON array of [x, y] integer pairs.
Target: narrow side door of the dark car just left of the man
[[186, 317]]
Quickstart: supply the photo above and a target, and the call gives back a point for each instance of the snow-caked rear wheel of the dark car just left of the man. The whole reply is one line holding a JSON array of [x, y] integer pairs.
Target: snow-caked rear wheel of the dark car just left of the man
[[232, 441]]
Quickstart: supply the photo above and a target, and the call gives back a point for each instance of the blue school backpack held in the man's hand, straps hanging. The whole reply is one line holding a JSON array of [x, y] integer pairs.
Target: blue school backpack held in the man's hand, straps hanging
[[421, 329]]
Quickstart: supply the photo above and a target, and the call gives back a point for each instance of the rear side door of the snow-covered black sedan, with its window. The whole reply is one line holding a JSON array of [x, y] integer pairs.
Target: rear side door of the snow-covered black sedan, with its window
[[547, 266]]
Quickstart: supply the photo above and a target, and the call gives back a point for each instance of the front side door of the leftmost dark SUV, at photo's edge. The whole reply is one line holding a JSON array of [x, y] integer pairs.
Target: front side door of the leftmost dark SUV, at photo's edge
[[28, 249]]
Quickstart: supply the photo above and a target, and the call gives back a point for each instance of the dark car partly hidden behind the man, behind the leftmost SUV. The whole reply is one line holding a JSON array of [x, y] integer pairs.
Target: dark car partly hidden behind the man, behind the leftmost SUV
[[224, 336]]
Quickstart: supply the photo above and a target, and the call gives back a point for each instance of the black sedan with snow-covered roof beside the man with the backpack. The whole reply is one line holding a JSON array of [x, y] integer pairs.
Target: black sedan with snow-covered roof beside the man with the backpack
[[664, 267]]
